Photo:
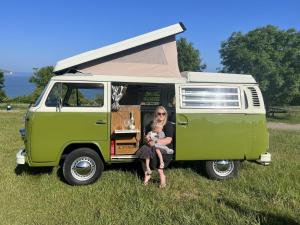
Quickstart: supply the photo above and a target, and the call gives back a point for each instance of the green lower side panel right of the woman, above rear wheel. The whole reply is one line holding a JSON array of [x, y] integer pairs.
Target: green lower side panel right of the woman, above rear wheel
[[221, 136]]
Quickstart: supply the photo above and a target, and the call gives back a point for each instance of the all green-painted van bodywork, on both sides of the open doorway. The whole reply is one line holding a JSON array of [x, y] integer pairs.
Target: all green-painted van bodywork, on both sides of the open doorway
[[199, 136]]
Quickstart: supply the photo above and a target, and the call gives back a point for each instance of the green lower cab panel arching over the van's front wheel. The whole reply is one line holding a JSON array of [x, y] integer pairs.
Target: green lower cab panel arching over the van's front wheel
[[48, 134]]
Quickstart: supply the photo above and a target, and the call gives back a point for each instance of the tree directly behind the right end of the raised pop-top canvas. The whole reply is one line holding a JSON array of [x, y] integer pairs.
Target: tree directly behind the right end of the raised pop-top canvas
[[188, 56]]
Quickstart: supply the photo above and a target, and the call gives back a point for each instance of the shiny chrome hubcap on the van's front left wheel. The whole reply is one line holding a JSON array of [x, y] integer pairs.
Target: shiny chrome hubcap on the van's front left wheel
[[83, 168]]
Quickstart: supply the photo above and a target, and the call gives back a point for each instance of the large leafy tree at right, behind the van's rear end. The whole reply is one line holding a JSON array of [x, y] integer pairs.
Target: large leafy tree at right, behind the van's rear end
[[272, 56]]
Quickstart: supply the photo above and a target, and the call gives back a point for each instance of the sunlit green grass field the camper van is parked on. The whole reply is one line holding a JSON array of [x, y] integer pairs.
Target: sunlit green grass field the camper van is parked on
[[259, 195]]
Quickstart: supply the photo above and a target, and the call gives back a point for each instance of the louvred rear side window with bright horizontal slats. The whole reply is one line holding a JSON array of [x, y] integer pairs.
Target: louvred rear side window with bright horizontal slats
[[210, 97]]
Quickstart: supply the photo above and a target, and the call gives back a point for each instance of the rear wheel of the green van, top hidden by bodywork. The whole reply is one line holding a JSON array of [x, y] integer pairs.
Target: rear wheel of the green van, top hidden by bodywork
[[221, 169]]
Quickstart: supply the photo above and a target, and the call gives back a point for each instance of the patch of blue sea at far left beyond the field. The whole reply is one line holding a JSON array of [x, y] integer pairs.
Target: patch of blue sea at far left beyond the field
[[17, 84]]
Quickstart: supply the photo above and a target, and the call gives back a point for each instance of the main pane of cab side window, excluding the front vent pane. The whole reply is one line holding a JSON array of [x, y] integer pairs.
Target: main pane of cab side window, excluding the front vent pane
[[84, 95]]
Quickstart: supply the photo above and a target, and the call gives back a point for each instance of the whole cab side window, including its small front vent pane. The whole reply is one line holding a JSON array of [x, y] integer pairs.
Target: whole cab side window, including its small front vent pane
[[76, 95]]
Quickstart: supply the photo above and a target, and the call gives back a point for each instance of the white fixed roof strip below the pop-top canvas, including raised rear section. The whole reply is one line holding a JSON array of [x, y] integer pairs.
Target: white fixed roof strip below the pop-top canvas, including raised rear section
[[186, 77]]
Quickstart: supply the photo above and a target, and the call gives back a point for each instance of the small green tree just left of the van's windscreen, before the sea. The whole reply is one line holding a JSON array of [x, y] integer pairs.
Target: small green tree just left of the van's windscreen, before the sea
[[41, 78]]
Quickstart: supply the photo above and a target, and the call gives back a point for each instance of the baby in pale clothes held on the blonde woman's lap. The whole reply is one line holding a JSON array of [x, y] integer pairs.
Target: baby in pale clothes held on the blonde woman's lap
[[154, 135]]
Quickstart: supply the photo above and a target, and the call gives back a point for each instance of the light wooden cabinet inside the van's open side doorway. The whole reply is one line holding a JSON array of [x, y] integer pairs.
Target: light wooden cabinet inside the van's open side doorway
[[126, 140]]
